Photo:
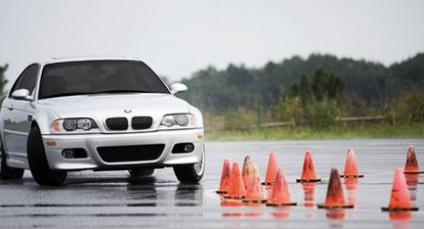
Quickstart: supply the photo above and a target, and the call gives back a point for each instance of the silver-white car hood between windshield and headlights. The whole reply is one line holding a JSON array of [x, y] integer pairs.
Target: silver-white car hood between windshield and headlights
[[112, 105]]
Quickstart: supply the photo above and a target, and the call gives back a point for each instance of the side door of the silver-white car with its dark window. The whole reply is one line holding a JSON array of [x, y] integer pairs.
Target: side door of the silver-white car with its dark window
[[17, 117]]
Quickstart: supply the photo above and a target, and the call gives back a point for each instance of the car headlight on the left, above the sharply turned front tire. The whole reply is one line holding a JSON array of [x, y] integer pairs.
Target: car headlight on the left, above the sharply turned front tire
[[73, 124]]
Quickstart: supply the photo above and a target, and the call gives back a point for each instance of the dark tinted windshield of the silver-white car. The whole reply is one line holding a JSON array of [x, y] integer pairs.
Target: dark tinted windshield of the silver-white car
[[98, 77]]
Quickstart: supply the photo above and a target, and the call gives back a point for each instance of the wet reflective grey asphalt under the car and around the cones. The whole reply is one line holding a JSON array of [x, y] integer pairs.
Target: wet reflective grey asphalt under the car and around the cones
[[114, 200]]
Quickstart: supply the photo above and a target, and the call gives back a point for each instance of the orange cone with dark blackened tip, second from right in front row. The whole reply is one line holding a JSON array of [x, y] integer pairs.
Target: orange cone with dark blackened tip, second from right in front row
[[335, 197]]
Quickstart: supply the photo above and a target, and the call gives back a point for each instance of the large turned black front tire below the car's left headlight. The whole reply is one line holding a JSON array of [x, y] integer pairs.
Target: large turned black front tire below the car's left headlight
[[38, 164]]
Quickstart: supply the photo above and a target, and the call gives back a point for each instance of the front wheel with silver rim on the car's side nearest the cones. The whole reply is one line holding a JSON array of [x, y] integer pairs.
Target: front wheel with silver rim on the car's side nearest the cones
[[190, 173]]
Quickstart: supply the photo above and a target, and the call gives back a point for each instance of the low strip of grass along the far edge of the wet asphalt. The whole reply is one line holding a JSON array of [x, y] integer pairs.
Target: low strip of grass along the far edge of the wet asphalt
[[415, 130]]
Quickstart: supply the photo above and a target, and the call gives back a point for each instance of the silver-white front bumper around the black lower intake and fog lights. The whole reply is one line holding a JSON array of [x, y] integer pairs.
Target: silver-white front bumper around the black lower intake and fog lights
[[54, 145]]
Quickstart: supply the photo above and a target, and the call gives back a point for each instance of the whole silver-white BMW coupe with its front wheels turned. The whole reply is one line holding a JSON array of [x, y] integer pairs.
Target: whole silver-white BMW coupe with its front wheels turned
[[98, 114]]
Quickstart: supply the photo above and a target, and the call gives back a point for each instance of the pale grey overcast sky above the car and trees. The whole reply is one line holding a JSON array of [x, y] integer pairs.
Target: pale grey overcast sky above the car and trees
[[177, 38]]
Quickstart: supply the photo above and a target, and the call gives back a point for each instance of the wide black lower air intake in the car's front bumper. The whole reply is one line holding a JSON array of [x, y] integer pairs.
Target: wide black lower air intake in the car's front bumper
[[130, 153]]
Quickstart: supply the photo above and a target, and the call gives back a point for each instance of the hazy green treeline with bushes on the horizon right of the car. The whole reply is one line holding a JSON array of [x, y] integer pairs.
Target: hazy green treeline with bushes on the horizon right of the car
[[320, 87]]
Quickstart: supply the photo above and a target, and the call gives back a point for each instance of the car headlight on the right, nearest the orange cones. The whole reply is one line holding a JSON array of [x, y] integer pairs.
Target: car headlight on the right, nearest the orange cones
[[178, 121]]
